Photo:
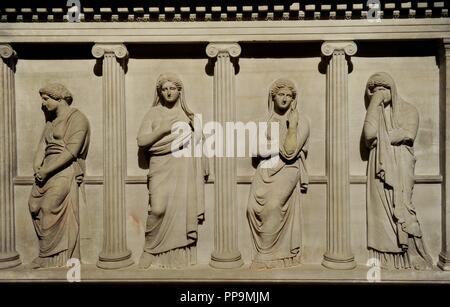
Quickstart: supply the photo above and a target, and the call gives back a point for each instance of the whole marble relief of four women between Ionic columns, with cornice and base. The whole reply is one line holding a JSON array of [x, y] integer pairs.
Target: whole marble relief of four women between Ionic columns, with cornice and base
[[244, 142]]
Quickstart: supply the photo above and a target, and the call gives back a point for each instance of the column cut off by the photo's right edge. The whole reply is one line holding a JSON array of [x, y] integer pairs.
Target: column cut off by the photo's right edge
[[444, 69]]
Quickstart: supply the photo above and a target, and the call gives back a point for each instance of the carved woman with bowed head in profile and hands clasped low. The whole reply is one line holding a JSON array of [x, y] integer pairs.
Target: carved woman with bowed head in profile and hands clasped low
[[59, 167]]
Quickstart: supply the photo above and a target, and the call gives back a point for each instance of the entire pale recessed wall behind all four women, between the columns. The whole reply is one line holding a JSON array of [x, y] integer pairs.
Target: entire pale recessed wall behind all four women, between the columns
[[417, 82]]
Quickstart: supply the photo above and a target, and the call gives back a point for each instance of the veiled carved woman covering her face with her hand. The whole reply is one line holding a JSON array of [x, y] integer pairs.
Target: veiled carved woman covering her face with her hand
[[394, 235]]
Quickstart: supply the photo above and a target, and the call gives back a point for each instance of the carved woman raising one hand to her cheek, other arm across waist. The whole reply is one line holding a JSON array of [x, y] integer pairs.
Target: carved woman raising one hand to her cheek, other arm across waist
[[273, 210]]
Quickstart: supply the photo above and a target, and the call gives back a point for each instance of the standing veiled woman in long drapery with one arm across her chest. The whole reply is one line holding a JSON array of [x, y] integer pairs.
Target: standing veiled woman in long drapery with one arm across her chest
[[175, 183]]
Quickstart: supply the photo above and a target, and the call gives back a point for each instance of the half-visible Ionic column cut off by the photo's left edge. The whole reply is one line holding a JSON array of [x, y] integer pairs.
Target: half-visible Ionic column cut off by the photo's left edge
[[8, 255]]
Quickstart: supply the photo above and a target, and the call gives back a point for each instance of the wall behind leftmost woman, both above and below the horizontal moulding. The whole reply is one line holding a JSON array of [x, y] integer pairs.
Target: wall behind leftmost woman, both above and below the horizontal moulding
[[78, 76]]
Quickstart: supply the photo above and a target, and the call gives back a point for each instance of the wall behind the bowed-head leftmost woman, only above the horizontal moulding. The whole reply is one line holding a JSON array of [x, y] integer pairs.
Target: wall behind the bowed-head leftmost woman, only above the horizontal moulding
[[78, 76]]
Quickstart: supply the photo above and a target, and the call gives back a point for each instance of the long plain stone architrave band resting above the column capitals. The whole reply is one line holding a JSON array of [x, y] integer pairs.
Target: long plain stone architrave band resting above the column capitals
[[257, 31]]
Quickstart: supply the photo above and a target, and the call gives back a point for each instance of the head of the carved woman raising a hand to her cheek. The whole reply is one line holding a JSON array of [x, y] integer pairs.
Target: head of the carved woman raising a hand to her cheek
[[282, 96]]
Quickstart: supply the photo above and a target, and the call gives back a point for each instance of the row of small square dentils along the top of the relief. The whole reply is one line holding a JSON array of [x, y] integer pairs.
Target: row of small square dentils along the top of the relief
[[247, 11]]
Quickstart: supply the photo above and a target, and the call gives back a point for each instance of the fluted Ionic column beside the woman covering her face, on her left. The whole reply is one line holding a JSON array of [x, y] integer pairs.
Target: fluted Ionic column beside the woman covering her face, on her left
[[338, 254]]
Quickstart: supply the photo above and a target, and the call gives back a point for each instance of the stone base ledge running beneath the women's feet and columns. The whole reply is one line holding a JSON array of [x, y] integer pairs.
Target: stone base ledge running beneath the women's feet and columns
[[299, 274]]
